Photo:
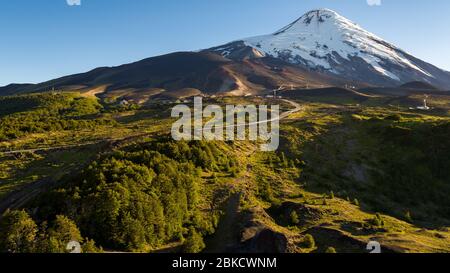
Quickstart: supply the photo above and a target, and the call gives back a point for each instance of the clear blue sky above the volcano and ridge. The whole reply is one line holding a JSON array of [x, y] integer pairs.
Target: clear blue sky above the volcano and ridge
[[44, 39]]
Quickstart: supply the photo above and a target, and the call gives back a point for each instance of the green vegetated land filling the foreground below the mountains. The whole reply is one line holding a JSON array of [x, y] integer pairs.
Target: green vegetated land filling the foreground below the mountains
[[345, 174]]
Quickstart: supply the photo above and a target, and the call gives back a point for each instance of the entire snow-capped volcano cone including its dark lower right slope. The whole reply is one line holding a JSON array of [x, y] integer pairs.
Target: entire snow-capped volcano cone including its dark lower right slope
[[325, 41]]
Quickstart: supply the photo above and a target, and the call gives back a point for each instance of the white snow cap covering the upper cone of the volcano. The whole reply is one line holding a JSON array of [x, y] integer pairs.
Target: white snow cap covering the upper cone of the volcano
[[321, 37]]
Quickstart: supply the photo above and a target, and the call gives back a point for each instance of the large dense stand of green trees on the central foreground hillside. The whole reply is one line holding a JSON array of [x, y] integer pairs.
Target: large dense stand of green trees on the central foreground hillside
[[141, 197]]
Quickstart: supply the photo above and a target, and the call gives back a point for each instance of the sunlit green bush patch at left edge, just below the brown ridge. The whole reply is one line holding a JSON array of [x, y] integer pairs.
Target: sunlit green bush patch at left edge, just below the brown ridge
[[39, 113]]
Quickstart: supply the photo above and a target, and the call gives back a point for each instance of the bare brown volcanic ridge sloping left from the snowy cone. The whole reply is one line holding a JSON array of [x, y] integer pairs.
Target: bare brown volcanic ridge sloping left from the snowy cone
[[207, 72]]
